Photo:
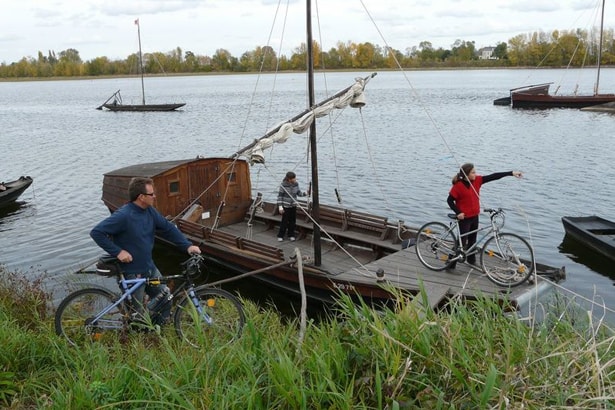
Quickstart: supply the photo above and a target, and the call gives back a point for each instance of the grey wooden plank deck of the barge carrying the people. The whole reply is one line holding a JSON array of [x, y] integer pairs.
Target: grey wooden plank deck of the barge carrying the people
[[400, 269]]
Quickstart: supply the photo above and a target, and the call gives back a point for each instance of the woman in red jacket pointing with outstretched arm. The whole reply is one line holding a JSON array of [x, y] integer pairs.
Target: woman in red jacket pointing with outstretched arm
[[464, 200]]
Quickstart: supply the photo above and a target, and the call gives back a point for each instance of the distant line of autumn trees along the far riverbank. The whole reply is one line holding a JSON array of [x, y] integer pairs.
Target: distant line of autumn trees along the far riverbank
[[556, 49]]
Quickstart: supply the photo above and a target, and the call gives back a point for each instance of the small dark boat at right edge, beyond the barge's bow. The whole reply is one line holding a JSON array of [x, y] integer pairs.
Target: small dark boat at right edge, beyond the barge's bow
[[593, 232]]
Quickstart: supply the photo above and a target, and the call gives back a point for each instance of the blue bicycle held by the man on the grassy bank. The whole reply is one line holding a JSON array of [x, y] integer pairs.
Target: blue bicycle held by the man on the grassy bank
[[201, 314]]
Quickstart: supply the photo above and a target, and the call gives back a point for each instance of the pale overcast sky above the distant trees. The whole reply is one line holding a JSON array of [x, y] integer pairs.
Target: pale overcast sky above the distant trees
[[106, 27]]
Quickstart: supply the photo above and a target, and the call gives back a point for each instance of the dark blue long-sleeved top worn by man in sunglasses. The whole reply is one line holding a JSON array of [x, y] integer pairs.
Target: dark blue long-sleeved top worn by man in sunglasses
[[132, 228]]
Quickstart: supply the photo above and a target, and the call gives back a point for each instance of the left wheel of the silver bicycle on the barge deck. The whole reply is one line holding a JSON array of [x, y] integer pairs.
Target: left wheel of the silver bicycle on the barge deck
[[435, 245]]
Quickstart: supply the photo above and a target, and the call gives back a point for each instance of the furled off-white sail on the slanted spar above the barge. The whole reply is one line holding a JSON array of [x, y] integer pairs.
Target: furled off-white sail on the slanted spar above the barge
[[352, 96]]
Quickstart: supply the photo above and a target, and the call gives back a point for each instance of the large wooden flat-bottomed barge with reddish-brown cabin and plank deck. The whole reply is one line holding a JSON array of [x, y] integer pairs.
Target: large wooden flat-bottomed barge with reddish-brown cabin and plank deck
[[361, 254]]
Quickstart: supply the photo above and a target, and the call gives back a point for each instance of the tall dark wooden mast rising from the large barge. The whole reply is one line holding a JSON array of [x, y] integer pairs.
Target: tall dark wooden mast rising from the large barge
[[315, 201]]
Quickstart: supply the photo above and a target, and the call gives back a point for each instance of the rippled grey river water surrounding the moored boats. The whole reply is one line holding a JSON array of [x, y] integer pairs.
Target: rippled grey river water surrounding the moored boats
[[394, 157]]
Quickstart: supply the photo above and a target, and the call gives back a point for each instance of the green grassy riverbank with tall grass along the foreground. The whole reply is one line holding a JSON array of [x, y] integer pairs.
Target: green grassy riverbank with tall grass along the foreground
[[474, 356]]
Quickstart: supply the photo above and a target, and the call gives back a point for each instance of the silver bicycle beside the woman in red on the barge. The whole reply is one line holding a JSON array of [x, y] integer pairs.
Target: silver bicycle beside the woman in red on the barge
[[506, 258]]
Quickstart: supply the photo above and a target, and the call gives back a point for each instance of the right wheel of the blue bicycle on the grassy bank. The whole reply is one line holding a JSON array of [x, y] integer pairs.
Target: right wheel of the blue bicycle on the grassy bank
[[220, 321]]
